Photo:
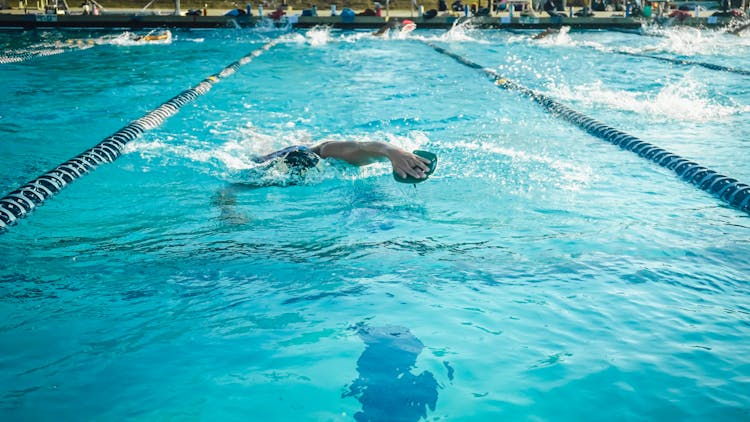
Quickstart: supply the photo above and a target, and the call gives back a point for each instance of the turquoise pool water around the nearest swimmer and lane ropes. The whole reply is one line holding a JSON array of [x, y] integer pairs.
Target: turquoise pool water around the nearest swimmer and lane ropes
[[540, 274]]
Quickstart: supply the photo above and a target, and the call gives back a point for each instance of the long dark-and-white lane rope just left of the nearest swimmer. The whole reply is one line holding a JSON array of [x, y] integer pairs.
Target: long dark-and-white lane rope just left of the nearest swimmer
[[22, 201]]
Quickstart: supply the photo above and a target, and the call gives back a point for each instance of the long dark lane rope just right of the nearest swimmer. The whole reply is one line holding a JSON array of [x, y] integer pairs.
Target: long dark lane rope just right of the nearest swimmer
[[726, 188]]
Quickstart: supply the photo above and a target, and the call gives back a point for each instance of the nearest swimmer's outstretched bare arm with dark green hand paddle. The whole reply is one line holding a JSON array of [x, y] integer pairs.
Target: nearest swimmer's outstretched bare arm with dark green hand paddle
[[363, 153]]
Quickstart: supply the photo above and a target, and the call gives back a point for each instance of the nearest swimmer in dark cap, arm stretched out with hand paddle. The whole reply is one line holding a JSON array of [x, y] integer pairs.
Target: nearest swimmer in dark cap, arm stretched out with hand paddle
[[405, 164]]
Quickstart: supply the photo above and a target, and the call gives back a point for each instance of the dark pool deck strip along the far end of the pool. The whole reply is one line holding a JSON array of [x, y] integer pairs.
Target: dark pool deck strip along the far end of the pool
[[137, 19]]
